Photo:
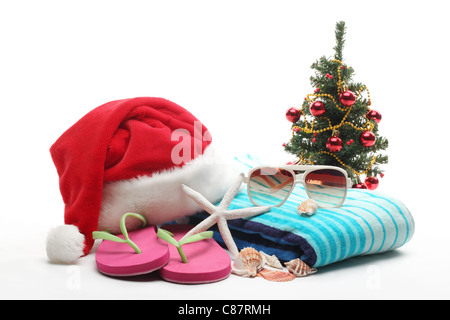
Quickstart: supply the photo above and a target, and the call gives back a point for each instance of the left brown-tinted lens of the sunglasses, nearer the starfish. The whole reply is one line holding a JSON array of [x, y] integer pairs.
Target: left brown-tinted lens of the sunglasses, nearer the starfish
[[270, 186]]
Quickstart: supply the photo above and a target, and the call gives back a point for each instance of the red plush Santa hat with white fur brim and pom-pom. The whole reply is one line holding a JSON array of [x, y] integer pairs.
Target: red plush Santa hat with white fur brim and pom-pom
[[131, 155]]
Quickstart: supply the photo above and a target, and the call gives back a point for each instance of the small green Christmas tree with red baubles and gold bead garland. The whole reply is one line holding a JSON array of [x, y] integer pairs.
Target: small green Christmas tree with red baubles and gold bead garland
[[336, 124]]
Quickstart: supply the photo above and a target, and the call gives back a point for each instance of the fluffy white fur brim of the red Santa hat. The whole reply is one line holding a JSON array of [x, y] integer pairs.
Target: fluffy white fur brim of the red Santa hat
[[160, 197]]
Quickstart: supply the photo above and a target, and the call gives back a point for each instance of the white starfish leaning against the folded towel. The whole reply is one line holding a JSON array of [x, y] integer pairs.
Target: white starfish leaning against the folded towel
[[220, 214]]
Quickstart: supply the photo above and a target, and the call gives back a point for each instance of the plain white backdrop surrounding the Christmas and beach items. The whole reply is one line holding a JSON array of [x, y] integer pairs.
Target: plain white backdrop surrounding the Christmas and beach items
[[237, 66]]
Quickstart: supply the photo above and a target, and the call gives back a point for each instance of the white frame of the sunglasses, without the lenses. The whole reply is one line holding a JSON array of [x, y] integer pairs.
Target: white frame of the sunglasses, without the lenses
[[299, 178]]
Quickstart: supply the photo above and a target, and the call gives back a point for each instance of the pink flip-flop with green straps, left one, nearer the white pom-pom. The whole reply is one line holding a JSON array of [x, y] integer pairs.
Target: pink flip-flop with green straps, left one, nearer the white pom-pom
[[138, 252]]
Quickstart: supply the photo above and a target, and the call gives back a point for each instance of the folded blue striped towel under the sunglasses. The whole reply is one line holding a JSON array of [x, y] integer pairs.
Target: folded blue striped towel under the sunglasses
[[367, 223]]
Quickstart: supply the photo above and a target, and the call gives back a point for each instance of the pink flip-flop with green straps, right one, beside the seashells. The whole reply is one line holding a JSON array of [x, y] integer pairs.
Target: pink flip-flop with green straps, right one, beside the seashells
[[197, 261]]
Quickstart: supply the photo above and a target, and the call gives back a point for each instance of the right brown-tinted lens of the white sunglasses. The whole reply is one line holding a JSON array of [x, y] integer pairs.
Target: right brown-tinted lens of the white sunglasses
[[327, 186]]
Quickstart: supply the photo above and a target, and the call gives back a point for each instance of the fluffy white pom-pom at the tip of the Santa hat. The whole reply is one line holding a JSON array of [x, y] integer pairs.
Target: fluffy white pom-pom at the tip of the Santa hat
[[65, 244]]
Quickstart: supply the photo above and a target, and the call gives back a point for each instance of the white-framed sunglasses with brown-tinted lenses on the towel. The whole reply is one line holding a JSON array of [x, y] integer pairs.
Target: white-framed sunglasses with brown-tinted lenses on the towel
[[272, 186]]
